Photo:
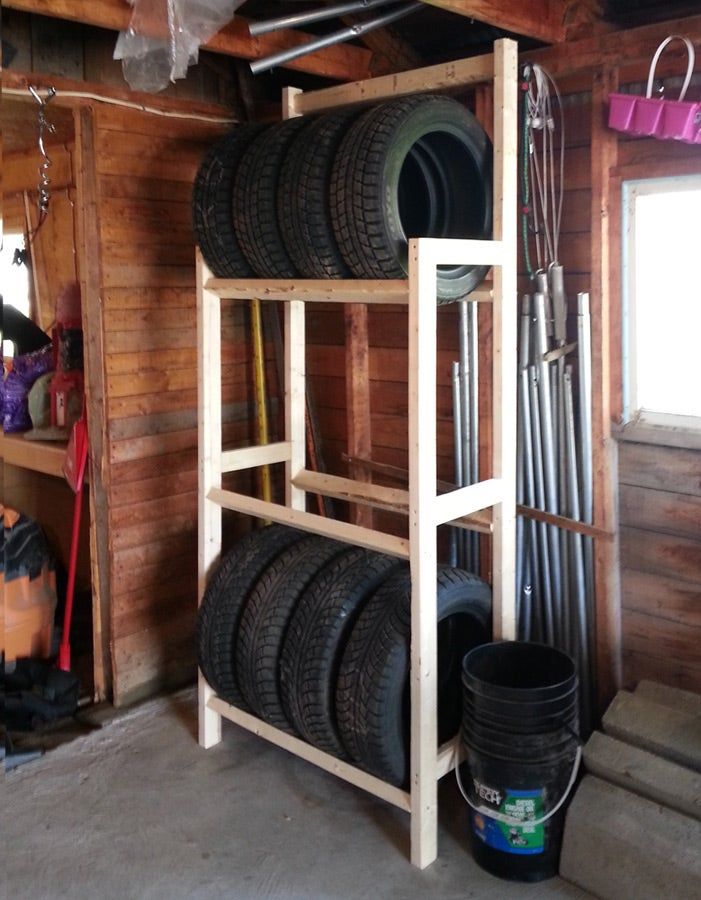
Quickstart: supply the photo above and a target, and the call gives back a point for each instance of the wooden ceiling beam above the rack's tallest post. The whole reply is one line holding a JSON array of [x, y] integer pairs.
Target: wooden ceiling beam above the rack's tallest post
[[541, 19]]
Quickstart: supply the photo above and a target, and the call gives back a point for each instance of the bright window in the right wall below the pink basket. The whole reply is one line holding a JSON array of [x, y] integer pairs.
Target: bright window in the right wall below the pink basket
[[662, 301]]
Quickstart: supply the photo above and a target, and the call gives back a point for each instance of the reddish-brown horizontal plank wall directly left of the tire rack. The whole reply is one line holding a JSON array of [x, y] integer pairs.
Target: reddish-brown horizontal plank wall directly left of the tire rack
[[145, 169]]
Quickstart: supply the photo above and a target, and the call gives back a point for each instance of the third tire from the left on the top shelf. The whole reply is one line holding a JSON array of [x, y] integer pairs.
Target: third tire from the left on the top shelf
[[303, 197]]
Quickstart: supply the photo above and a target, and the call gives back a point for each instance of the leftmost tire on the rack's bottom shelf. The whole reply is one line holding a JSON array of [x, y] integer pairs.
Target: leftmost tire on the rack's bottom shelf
[[224, 599]]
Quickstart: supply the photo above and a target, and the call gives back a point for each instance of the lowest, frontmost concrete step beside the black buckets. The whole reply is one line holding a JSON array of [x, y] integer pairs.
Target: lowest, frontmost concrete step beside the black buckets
[[617, 844]]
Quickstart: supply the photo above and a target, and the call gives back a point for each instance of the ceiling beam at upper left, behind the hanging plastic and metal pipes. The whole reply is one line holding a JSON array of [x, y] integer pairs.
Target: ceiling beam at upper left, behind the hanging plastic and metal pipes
[[343, 62]]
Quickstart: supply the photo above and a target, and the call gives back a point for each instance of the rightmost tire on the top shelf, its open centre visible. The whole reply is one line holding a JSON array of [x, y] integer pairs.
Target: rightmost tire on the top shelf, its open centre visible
[[413, 167]]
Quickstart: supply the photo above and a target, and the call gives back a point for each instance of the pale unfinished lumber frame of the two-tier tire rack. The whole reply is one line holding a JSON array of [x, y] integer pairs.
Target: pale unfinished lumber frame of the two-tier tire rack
[[426, 510]]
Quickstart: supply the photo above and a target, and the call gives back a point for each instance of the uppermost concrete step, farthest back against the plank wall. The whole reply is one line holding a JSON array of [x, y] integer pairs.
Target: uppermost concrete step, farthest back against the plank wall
[[670, 733]]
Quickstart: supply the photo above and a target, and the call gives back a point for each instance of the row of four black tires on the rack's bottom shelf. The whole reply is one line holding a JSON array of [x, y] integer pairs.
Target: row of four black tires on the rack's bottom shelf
[[313, 637]]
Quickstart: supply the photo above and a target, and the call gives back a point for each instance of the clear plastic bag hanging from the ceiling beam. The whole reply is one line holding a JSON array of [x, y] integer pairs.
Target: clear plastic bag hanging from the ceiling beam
[[164, 38]]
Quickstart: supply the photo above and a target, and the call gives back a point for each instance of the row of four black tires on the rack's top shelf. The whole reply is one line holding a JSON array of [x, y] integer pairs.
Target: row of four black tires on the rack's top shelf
[[338, 195]]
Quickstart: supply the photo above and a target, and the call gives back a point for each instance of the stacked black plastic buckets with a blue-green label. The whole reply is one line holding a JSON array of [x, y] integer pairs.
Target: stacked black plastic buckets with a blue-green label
[[519, 728]]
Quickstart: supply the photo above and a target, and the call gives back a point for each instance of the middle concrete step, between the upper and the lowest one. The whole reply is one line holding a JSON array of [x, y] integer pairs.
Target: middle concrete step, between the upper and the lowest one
[[644, 774]]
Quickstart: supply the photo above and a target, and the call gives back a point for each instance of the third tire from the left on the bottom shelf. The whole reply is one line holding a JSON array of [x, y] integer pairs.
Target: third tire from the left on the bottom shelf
[[316, 638]]
